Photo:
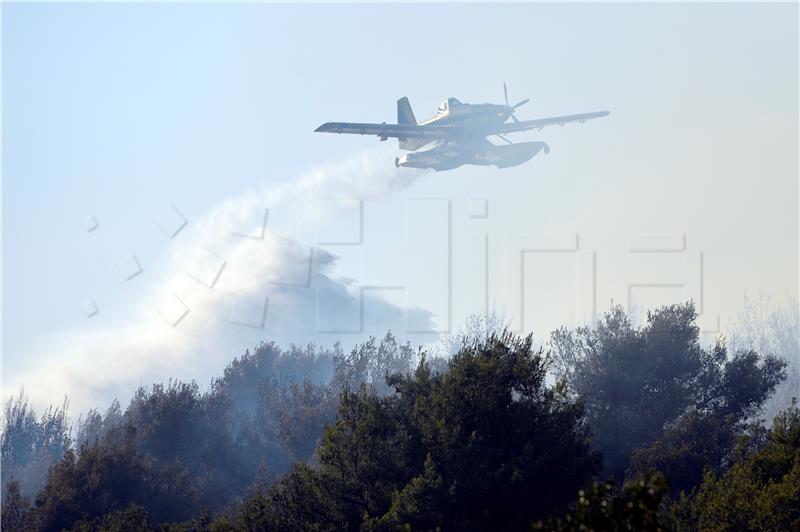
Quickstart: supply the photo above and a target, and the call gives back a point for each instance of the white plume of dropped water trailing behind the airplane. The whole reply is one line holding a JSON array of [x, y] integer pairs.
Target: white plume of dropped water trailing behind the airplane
[[247, 271]]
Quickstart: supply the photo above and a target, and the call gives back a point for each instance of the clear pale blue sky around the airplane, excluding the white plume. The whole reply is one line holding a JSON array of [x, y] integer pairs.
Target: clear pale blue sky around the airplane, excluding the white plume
[[118, 111]]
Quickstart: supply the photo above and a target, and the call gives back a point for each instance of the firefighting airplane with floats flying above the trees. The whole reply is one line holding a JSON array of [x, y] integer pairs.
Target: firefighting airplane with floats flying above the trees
[[456, 134]]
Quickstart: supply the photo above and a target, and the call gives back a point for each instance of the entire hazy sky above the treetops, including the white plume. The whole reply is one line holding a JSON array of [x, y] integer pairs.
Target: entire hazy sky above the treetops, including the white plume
[[145, 117]]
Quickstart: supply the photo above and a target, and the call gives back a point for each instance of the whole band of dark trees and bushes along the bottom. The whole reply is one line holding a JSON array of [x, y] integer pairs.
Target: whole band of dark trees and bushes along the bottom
[[610, 427]]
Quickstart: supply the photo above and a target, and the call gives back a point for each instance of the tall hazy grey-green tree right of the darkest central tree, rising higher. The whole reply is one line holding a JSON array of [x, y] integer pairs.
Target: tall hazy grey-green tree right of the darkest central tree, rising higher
[[639, 381]]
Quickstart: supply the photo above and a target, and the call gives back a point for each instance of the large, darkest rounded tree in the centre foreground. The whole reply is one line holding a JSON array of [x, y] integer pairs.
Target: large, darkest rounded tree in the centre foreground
[[486, 445]]
